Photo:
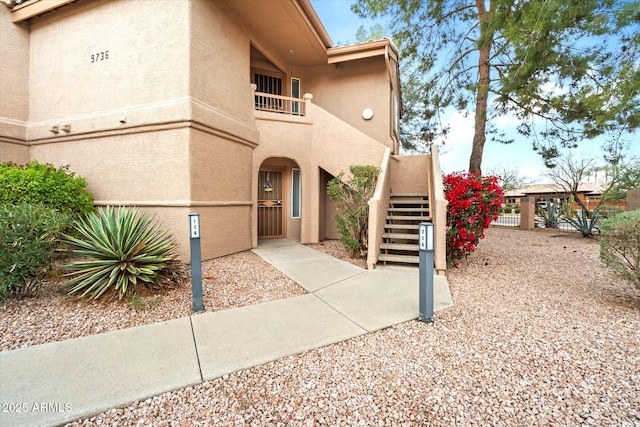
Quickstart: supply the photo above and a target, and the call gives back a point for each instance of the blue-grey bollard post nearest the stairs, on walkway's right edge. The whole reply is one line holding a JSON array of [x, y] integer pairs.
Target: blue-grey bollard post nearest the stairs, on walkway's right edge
[[425, 247]]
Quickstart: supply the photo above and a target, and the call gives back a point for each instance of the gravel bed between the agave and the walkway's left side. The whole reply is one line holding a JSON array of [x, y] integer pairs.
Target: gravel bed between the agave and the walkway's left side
[[232, 281]]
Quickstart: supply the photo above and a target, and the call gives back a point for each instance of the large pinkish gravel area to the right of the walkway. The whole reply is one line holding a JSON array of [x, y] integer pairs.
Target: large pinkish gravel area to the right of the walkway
[[540, 335]]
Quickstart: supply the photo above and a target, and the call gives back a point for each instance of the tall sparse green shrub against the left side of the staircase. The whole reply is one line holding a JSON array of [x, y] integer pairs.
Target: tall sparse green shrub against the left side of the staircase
[[352, 200]]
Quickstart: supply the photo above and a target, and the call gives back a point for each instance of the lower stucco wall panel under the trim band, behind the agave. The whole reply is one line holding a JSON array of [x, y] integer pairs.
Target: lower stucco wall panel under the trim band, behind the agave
[[146, 168]]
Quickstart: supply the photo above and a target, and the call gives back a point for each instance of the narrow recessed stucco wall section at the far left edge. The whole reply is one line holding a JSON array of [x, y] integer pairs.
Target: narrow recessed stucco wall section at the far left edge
[[14, 89]]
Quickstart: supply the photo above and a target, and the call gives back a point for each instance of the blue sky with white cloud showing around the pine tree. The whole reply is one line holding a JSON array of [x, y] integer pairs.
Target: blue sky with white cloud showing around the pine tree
[[341, 24]]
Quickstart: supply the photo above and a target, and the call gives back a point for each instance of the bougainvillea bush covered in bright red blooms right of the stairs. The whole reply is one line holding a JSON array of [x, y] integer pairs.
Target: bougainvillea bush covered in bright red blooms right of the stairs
[[474, 201]]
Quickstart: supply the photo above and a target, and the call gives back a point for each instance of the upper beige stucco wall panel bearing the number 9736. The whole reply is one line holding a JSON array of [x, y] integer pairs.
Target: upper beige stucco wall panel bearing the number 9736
[[140, 57]]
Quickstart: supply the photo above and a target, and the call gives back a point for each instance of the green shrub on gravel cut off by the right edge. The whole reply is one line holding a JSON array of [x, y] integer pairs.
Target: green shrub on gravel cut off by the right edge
[[620, 246]]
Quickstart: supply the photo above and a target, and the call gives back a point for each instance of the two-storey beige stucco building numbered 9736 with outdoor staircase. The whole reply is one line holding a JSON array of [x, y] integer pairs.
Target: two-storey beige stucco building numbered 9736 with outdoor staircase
[[240, 110]]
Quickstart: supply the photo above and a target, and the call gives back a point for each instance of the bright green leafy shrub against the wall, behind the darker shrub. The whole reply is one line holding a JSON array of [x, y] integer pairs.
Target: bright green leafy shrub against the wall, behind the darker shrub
[[37, 183]]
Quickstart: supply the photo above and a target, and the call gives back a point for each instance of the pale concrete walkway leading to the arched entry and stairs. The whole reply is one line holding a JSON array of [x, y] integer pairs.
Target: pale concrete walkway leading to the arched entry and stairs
[[54, 383]]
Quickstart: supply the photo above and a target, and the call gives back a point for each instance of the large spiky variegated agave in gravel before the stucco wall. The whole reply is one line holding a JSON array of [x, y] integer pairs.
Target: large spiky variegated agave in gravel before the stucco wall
[[120, 250]]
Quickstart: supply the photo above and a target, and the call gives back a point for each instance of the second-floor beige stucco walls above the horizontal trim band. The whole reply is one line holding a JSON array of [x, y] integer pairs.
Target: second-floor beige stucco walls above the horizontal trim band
[[103, 65]]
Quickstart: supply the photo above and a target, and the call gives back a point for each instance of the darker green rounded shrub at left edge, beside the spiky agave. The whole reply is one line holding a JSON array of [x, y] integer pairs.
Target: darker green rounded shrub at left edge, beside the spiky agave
[[29, 236]]
